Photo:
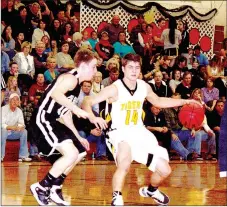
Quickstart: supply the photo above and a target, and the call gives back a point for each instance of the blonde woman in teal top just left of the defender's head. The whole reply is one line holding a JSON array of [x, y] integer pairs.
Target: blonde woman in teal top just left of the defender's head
[[51, 73]]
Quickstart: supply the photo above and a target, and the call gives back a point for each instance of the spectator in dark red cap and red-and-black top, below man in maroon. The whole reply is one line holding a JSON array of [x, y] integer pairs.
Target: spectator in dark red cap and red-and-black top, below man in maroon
[[104, 47]]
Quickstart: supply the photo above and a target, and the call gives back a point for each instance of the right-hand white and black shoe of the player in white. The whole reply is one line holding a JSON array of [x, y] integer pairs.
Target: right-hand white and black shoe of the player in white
[[158, 196]]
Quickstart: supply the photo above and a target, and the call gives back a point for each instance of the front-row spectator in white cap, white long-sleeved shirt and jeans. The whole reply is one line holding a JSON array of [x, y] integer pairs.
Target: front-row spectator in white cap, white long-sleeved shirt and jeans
[[13, 127]]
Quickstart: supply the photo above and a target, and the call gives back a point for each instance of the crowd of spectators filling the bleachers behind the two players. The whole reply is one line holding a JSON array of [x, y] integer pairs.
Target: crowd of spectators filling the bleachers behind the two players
[[40, 39]]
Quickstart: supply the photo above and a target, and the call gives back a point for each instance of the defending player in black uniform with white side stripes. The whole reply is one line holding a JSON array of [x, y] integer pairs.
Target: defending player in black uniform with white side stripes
[[57, 131]]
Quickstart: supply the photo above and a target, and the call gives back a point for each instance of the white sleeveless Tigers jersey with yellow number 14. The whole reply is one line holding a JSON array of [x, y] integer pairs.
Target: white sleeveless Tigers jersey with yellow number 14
[[128, 109]]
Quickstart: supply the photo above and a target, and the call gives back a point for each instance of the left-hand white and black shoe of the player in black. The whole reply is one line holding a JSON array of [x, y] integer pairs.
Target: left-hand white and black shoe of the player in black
[[40, 193]]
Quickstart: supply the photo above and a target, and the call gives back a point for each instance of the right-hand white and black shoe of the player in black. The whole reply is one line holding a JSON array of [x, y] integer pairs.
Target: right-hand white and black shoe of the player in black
[[56, 196]]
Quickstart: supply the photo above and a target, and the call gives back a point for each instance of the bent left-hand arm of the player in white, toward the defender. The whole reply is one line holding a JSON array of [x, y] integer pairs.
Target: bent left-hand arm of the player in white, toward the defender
[[108, 93]]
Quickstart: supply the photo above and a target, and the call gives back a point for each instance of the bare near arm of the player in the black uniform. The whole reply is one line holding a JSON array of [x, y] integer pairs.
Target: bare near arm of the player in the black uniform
[[65, 83]]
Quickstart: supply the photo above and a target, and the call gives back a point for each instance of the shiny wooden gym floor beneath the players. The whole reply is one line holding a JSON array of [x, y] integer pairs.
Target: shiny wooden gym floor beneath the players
[[192, 183]]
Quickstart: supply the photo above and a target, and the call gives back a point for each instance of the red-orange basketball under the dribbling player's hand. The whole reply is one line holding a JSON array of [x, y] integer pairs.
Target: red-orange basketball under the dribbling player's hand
[[191, 116]]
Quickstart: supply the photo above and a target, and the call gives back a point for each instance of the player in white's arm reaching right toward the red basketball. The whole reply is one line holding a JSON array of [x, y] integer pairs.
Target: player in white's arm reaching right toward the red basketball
[[164, 102]]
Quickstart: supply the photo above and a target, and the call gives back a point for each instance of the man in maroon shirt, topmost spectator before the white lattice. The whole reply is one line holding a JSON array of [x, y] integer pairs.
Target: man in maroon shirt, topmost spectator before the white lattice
[[113, 29]]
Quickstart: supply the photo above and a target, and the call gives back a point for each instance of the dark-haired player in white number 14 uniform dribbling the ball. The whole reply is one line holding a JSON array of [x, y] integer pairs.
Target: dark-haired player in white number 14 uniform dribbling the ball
[[128, 137]]
